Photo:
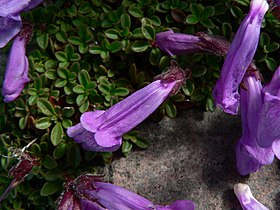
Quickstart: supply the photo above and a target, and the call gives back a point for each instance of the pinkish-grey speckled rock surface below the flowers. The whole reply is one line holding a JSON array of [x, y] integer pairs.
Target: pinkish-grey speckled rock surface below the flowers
[[192, 157]]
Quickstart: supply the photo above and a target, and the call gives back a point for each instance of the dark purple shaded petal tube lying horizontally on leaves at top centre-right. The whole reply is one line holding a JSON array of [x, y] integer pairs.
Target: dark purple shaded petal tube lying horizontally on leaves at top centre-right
[[176, 43]]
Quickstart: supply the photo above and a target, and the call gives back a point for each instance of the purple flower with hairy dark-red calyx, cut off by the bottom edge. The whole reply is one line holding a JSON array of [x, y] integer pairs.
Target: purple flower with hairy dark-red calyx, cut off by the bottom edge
[[89, 192]]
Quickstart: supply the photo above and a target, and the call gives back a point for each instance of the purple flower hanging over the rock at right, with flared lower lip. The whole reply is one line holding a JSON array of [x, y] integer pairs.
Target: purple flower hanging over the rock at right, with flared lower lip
[[249, 156]]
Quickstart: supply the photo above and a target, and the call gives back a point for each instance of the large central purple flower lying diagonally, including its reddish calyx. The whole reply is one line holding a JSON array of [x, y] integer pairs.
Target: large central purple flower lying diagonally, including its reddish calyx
[[102, 130]]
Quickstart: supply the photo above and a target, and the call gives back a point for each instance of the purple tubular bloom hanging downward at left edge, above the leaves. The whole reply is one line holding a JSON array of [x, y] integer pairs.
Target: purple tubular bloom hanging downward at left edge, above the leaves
[[16, 74]]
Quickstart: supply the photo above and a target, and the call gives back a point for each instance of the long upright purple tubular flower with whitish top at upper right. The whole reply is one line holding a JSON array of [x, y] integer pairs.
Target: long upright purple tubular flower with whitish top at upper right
[[239, 57]]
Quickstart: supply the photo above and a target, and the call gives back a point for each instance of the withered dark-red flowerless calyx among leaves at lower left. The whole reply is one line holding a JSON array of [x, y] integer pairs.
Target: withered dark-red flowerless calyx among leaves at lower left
[[20, 171]]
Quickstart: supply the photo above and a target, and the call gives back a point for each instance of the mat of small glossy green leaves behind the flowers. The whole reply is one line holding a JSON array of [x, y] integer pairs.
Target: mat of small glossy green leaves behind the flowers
[[90, 55]]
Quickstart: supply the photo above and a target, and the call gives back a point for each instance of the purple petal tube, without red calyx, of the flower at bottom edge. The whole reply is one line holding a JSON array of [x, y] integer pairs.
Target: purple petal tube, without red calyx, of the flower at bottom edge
[[115, 198]]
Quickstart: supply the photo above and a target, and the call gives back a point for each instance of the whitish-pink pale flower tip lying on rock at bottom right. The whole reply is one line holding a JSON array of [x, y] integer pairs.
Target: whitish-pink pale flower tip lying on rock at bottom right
[[246, 199]]
